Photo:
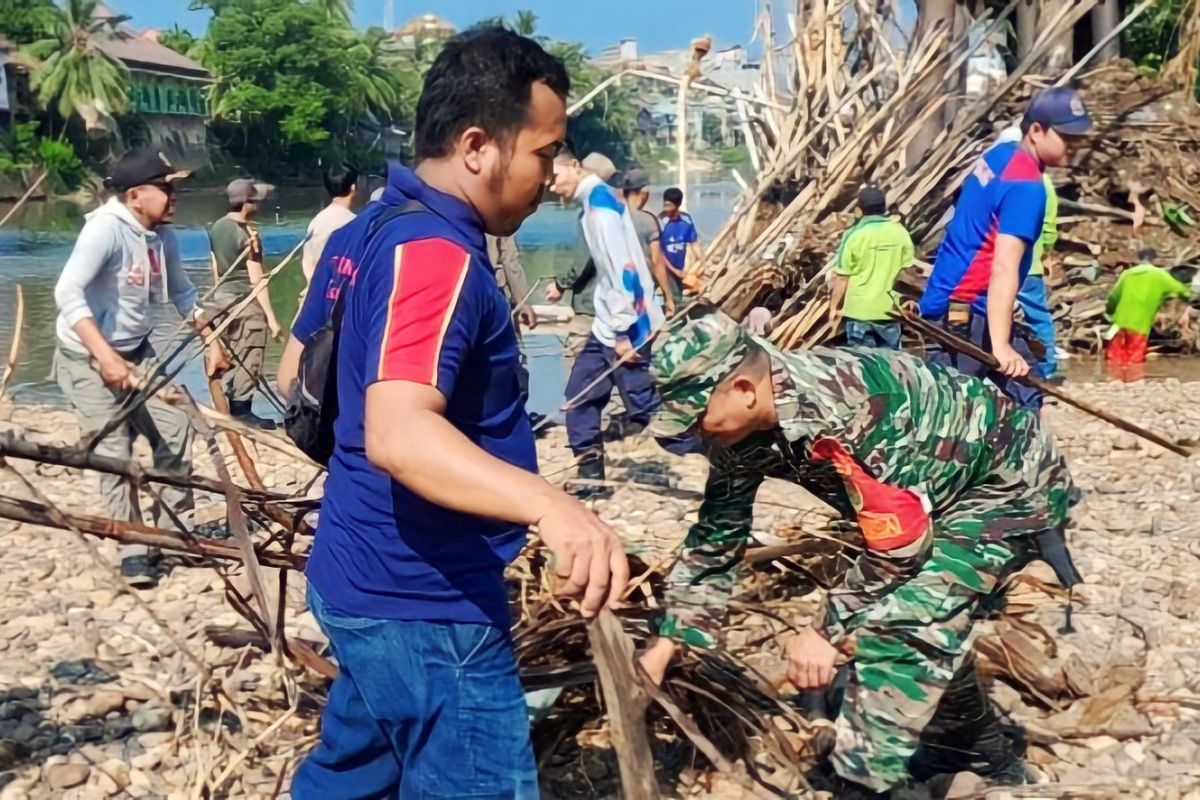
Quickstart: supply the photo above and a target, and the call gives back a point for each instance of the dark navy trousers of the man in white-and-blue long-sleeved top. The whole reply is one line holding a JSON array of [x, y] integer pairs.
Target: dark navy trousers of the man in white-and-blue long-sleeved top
[[632, 380]]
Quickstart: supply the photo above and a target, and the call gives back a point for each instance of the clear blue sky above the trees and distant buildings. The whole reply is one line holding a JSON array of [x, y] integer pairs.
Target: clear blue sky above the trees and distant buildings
[[657, 25]]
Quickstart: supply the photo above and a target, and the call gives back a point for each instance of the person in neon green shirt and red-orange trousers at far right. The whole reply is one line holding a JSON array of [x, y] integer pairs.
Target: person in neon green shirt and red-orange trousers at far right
[[1133, 305]]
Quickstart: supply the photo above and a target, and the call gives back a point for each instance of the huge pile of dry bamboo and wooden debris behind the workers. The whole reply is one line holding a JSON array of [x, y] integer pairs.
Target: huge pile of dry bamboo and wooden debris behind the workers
[[862, 115]]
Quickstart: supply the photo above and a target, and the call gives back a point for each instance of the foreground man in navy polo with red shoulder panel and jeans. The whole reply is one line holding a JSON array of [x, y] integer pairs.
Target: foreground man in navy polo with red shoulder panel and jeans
[[434, 483]]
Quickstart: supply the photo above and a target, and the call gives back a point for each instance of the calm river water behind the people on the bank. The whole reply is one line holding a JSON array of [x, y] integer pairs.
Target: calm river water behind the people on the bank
[[37, 243]]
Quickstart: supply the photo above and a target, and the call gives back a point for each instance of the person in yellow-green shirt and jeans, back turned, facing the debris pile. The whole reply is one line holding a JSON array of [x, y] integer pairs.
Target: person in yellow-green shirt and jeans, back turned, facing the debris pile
[[871, 257]]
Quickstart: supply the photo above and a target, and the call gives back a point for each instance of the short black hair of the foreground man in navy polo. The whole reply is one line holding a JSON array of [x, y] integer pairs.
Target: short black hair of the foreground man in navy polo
[[483, 77]]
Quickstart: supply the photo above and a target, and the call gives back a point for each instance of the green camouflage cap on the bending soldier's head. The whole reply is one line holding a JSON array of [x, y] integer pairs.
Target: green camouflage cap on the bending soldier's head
[[692, 358]]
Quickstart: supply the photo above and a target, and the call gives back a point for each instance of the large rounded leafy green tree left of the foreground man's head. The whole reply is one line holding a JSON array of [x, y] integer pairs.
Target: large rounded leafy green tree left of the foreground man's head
[[291, 85]]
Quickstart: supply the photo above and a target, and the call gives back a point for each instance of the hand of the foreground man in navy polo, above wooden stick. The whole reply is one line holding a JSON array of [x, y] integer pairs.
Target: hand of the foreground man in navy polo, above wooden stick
[[586, 554]]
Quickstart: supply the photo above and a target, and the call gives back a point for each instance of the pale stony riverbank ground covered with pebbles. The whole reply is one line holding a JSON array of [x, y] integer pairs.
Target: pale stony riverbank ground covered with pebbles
[[98, 701]]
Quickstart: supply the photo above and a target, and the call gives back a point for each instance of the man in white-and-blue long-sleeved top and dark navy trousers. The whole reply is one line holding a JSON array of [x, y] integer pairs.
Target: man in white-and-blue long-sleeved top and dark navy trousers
[[627, 314]]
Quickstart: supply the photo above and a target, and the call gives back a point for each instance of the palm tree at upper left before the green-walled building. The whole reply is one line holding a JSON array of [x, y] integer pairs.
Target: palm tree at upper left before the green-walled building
[[74, 73]]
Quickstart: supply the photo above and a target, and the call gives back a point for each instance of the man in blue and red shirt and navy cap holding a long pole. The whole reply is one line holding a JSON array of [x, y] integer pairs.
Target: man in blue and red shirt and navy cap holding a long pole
[[989, 245]]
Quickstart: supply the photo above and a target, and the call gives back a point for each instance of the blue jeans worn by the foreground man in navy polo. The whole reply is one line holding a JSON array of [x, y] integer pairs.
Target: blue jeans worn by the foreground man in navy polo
[[419, 711]]
